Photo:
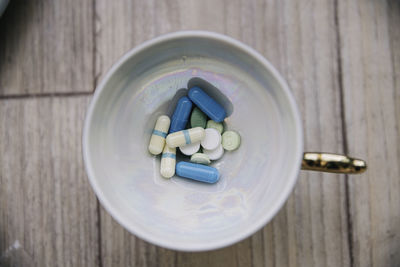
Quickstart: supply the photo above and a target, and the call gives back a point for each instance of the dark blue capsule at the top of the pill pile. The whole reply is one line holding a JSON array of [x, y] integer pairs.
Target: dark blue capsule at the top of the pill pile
[[208, 105]]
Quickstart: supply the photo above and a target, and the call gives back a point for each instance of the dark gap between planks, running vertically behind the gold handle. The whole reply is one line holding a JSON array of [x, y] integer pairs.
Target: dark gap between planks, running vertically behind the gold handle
[[344, 131]]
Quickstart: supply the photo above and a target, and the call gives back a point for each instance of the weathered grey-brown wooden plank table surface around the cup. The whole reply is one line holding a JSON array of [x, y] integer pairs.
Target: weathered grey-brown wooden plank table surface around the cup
[[340, 57]]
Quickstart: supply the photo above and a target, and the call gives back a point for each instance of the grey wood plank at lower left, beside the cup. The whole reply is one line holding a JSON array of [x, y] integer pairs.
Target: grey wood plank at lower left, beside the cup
[[48, 212]]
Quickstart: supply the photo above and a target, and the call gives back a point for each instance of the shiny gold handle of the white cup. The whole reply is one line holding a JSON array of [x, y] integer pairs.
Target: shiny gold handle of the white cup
[[335, 163]]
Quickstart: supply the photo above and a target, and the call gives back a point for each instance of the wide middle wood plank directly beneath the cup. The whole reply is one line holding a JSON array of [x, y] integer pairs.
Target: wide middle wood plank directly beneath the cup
[[299, 38]]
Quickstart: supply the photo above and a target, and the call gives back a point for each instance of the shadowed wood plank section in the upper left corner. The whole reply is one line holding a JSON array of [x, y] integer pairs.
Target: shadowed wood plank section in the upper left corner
[[46, 47]]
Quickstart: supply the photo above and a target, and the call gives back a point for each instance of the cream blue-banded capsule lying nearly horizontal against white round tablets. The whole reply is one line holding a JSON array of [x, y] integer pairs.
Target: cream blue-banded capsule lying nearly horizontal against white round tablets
[[185, 137]]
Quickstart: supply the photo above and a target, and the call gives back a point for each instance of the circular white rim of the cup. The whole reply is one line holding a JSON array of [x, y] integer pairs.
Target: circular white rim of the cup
[[293, 174]]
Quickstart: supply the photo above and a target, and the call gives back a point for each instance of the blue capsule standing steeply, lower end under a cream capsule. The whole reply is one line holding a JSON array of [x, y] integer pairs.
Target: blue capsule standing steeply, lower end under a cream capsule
[[181, 115]]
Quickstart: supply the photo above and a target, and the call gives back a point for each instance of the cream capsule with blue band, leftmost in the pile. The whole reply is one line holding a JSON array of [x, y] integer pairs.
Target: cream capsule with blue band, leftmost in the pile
[[157, 140]]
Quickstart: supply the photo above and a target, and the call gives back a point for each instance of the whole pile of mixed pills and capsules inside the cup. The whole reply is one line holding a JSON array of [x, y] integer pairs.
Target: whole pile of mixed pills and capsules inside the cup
[[204, 141]]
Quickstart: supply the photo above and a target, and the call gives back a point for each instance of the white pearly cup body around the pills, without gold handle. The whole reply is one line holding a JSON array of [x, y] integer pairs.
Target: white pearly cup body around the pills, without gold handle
[[176, 213]]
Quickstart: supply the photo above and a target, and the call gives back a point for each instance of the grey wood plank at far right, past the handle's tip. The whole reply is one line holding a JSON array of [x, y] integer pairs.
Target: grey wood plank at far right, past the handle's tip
[[370, 61]]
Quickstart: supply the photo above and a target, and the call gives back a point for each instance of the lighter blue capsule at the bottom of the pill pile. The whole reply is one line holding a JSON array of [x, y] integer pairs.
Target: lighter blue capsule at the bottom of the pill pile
[[197, 172]]
